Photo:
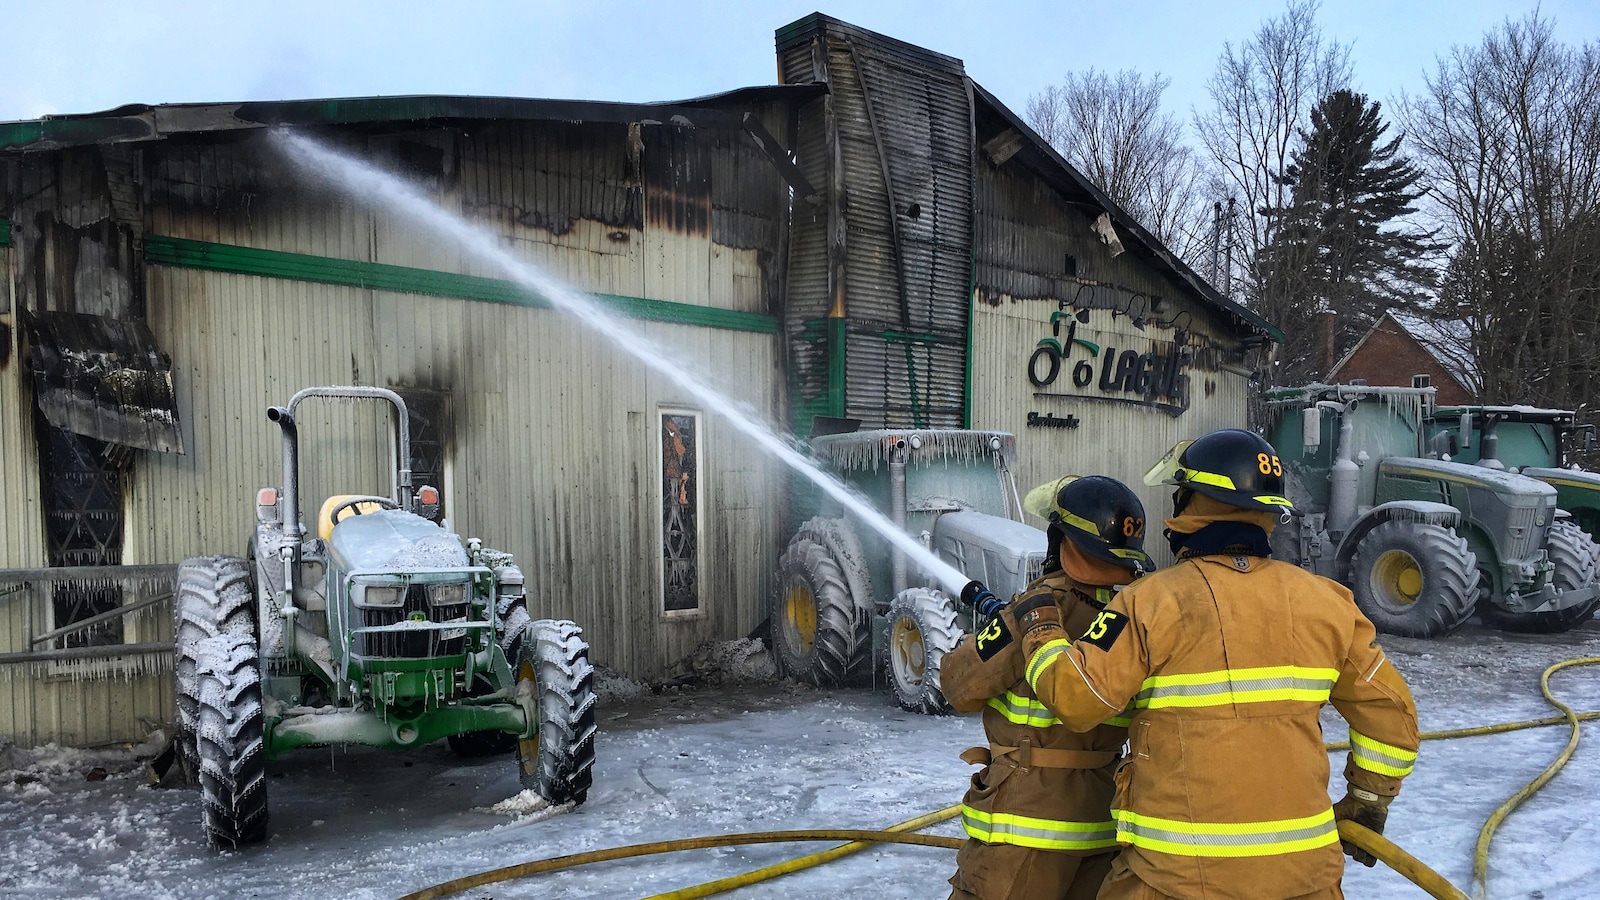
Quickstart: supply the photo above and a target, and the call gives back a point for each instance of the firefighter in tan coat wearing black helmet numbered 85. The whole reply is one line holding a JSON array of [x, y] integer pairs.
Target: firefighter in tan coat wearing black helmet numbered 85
[[1228, 659]]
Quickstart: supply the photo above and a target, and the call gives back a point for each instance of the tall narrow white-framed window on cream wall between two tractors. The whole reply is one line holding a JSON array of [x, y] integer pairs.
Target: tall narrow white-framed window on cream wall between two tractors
[[681, 478]]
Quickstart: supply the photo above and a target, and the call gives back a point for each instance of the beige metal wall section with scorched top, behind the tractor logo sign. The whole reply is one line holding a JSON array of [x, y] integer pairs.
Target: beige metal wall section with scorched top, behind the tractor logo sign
[[1026, 233]]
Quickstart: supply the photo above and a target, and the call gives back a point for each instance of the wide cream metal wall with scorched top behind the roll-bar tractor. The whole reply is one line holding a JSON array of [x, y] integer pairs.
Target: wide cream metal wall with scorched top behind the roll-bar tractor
[[554, 446]]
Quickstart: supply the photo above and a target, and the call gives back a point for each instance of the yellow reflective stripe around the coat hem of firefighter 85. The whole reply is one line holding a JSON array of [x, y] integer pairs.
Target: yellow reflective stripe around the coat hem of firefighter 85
[[1226, 838]]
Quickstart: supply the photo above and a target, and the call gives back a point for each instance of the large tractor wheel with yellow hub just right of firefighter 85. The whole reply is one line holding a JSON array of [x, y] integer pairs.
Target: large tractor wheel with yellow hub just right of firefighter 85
[[1415, 581]]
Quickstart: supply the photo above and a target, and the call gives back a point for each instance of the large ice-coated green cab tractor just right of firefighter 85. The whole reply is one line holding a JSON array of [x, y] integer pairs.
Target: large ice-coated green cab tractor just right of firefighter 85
[[1422, 540]]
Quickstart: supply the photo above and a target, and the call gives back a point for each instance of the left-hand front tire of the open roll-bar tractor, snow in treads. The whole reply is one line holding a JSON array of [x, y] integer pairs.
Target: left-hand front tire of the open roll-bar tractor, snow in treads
[[231, 739]]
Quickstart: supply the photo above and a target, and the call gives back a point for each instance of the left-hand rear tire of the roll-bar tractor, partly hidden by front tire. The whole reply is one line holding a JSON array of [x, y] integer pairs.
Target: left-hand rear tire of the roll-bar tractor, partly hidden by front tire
[[214, 597]]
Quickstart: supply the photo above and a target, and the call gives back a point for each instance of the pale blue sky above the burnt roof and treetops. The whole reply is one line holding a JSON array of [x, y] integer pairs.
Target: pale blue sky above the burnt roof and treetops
[[81, 57]]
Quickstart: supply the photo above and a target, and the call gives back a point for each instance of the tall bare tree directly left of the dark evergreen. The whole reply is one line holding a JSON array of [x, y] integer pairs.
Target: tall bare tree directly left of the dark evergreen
[[1262, 94]]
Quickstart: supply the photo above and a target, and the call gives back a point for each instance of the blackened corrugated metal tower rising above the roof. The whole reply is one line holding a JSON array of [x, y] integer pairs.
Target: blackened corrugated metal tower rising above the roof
[[898, 131]]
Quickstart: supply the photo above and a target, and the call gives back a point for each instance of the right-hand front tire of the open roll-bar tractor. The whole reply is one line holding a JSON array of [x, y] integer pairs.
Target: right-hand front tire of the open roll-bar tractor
[[558, 761]]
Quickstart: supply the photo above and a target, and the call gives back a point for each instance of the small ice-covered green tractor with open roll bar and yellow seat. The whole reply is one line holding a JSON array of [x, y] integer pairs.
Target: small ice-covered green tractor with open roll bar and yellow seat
[[370, 625]]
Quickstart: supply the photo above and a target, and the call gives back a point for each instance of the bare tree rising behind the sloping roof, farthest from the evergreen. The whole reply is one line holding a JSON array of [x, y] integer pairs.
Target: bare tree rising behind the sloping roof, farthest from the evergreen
[[1113, 129]]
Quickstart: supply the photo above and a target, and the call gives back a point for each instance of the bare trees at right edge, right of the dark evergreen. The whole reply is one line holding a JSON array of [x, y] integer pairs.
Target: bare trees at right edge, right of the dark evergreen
[[1510, 137]]
